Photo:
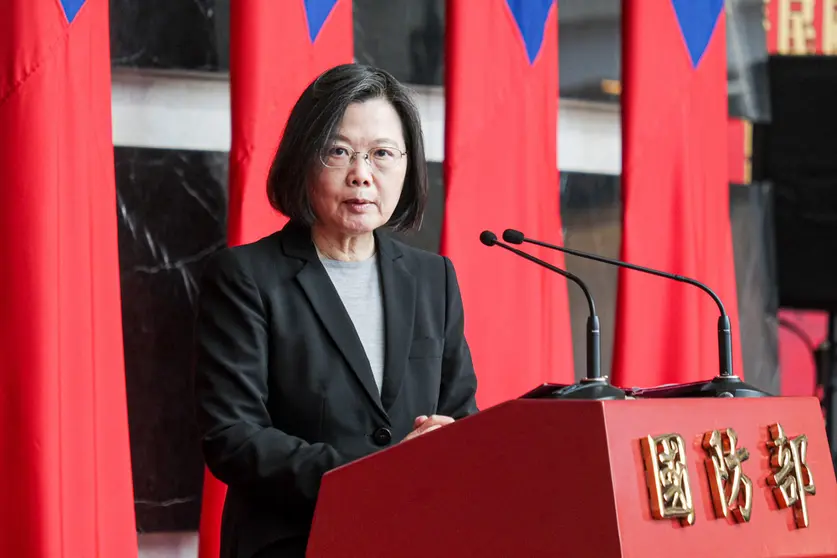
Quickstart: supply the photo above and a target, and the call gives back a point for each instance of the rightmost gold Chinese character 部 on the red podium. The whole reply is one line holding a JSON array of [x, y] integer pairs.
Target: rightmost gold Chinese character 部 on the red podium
[[792, 479]]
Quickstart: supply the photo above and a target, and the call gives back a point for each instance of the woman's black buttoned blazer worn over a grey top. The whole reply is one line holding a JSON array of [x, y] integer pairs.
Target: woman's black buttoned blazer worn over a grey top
[[284, 389]]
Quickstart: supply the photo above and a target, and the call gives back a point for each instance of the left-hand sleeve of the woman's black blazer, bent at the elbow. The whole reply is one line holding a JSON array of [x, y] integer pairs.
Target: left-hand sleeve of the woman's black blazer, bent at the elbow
[[239, 443]]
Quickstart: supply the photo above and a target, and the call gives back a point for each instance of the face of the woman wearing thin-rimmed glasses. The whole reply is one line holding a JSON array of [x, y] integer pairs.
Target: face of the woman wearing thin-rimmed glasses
[[361, 174]]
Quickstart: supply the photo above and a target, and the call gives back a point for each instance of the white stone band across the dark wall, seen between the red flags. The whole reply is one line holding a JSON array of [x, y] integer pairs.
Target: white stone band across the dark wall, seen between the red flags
[[181, 110]]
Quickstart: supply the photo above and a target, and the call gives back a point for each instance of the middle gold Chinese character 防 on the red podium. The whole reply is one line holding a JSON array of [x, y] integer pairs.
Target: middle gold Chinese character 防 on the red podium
[[731, 489]]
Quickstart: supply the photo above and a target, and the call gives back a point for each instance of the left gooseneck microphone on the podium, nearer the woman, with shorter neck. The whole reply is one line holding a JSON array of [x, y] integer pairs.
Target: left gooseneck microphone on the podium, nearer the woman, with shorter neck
[[594, 386]]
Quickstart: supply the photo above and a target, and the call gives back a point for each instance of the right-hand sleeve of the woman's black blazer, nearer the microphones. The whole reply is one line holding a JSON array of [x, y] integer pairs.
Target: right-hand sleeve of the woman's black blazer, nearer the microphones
[[457, 396]]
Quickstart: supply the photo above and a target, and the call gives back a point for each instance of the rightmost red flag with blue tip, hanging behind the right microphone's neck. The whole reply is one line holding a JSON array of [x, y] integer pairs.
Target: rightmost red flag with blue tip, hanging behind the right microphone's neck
[[675, 187]]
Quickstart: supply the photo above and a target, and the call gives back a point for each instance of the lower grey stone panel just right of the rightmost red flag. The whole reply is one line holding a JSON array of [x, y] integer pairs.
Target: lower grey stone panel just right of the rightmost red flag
[[751, 216]]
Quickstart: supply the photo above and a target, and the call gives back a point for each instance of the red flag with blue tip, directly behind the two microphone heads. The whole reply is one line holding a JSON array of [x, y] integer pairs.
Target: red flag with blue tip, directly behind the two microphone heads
[[501, 172]]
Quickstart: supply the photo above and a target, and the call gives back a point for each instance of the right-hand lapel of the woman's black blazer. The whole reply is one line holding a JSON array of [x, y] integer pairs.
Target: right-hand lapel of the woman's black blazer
[[399, 292]]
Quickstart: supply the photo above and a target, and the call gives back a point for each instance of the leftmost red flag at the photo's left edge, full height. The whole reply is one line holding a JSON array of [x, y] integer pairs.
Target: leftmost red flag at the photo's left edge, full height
[[63, 417]]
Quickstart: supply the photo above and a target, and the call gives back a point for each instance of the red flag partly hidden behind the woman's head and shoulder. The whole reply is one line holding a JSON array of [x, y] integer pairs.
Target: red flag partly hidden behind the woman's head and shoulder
[[276, 50]]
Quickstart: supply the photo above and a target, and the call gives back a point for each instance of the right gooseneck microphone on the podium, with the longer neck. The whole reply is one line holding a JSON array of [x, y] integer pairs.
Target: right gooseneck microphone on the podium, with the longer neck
[[726, 384]]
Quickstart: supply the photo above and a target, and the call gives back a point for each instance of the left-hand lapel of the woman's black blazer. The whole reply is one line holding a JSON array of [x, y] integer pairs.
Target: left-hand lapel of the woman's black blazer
[[323, 297]]
